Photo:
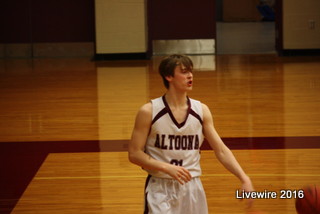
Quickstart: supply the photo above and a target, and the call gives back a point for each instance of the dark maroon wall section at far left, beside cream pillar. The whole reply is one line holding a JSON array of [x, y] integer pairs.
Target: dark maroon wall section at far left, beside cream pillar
[[26, 21]]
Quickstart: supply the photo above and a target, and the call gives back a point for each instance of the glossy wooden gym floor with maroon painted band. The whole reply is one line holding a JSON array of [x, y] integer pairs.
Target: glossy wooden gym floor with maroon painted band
[[65, 126]]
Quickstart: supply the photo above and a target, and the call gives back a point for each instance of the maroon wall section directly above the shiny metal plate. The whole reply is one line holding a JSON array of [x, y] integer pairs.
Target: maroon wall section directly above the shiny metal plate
[[181, 19]]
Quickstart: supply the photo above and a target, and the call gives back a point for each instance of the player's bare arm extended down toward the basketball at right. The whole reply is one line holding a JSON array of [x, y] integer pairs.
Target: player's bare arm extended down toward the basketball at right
[[222, 152]]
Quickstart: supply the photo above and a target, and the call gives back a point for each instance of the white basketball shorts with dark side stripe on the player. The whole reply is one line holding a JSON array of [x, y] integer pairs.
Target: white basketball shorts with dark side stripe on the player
[[168, 196]]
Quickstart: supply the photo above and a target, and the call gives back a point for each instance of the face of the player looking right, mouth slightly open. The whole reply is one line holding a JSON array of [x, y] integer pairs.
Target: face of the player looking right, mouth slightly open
[[182, 79]]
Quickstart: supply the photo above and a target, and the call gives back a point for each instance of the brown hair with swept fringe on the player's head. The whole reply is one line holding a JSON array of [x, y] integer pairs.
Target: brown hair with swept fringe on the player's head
[[168, 65]]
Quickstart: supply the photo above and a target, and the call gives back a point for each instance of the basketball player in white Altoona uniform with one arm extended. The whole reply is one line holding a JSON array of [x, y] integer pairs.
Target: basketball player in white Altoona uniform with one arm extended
[[166, 140]]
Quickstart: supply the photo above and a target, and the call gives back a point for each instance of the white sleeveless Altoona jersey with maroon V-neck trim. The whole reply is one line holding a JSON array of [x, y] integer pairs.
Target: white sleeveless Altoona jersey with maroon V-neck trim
[[175, 143]]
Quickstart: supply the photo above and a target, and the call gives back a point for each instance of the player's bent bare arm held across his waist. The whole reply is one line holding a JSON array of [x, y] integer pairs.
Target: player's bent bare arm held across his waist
[[137, 145]]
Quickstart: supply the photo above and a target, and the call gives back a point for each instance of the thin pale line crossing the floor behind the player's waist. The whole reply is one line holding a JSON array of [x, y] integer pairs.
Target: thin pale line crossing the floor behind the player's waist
[[144, 176]]
